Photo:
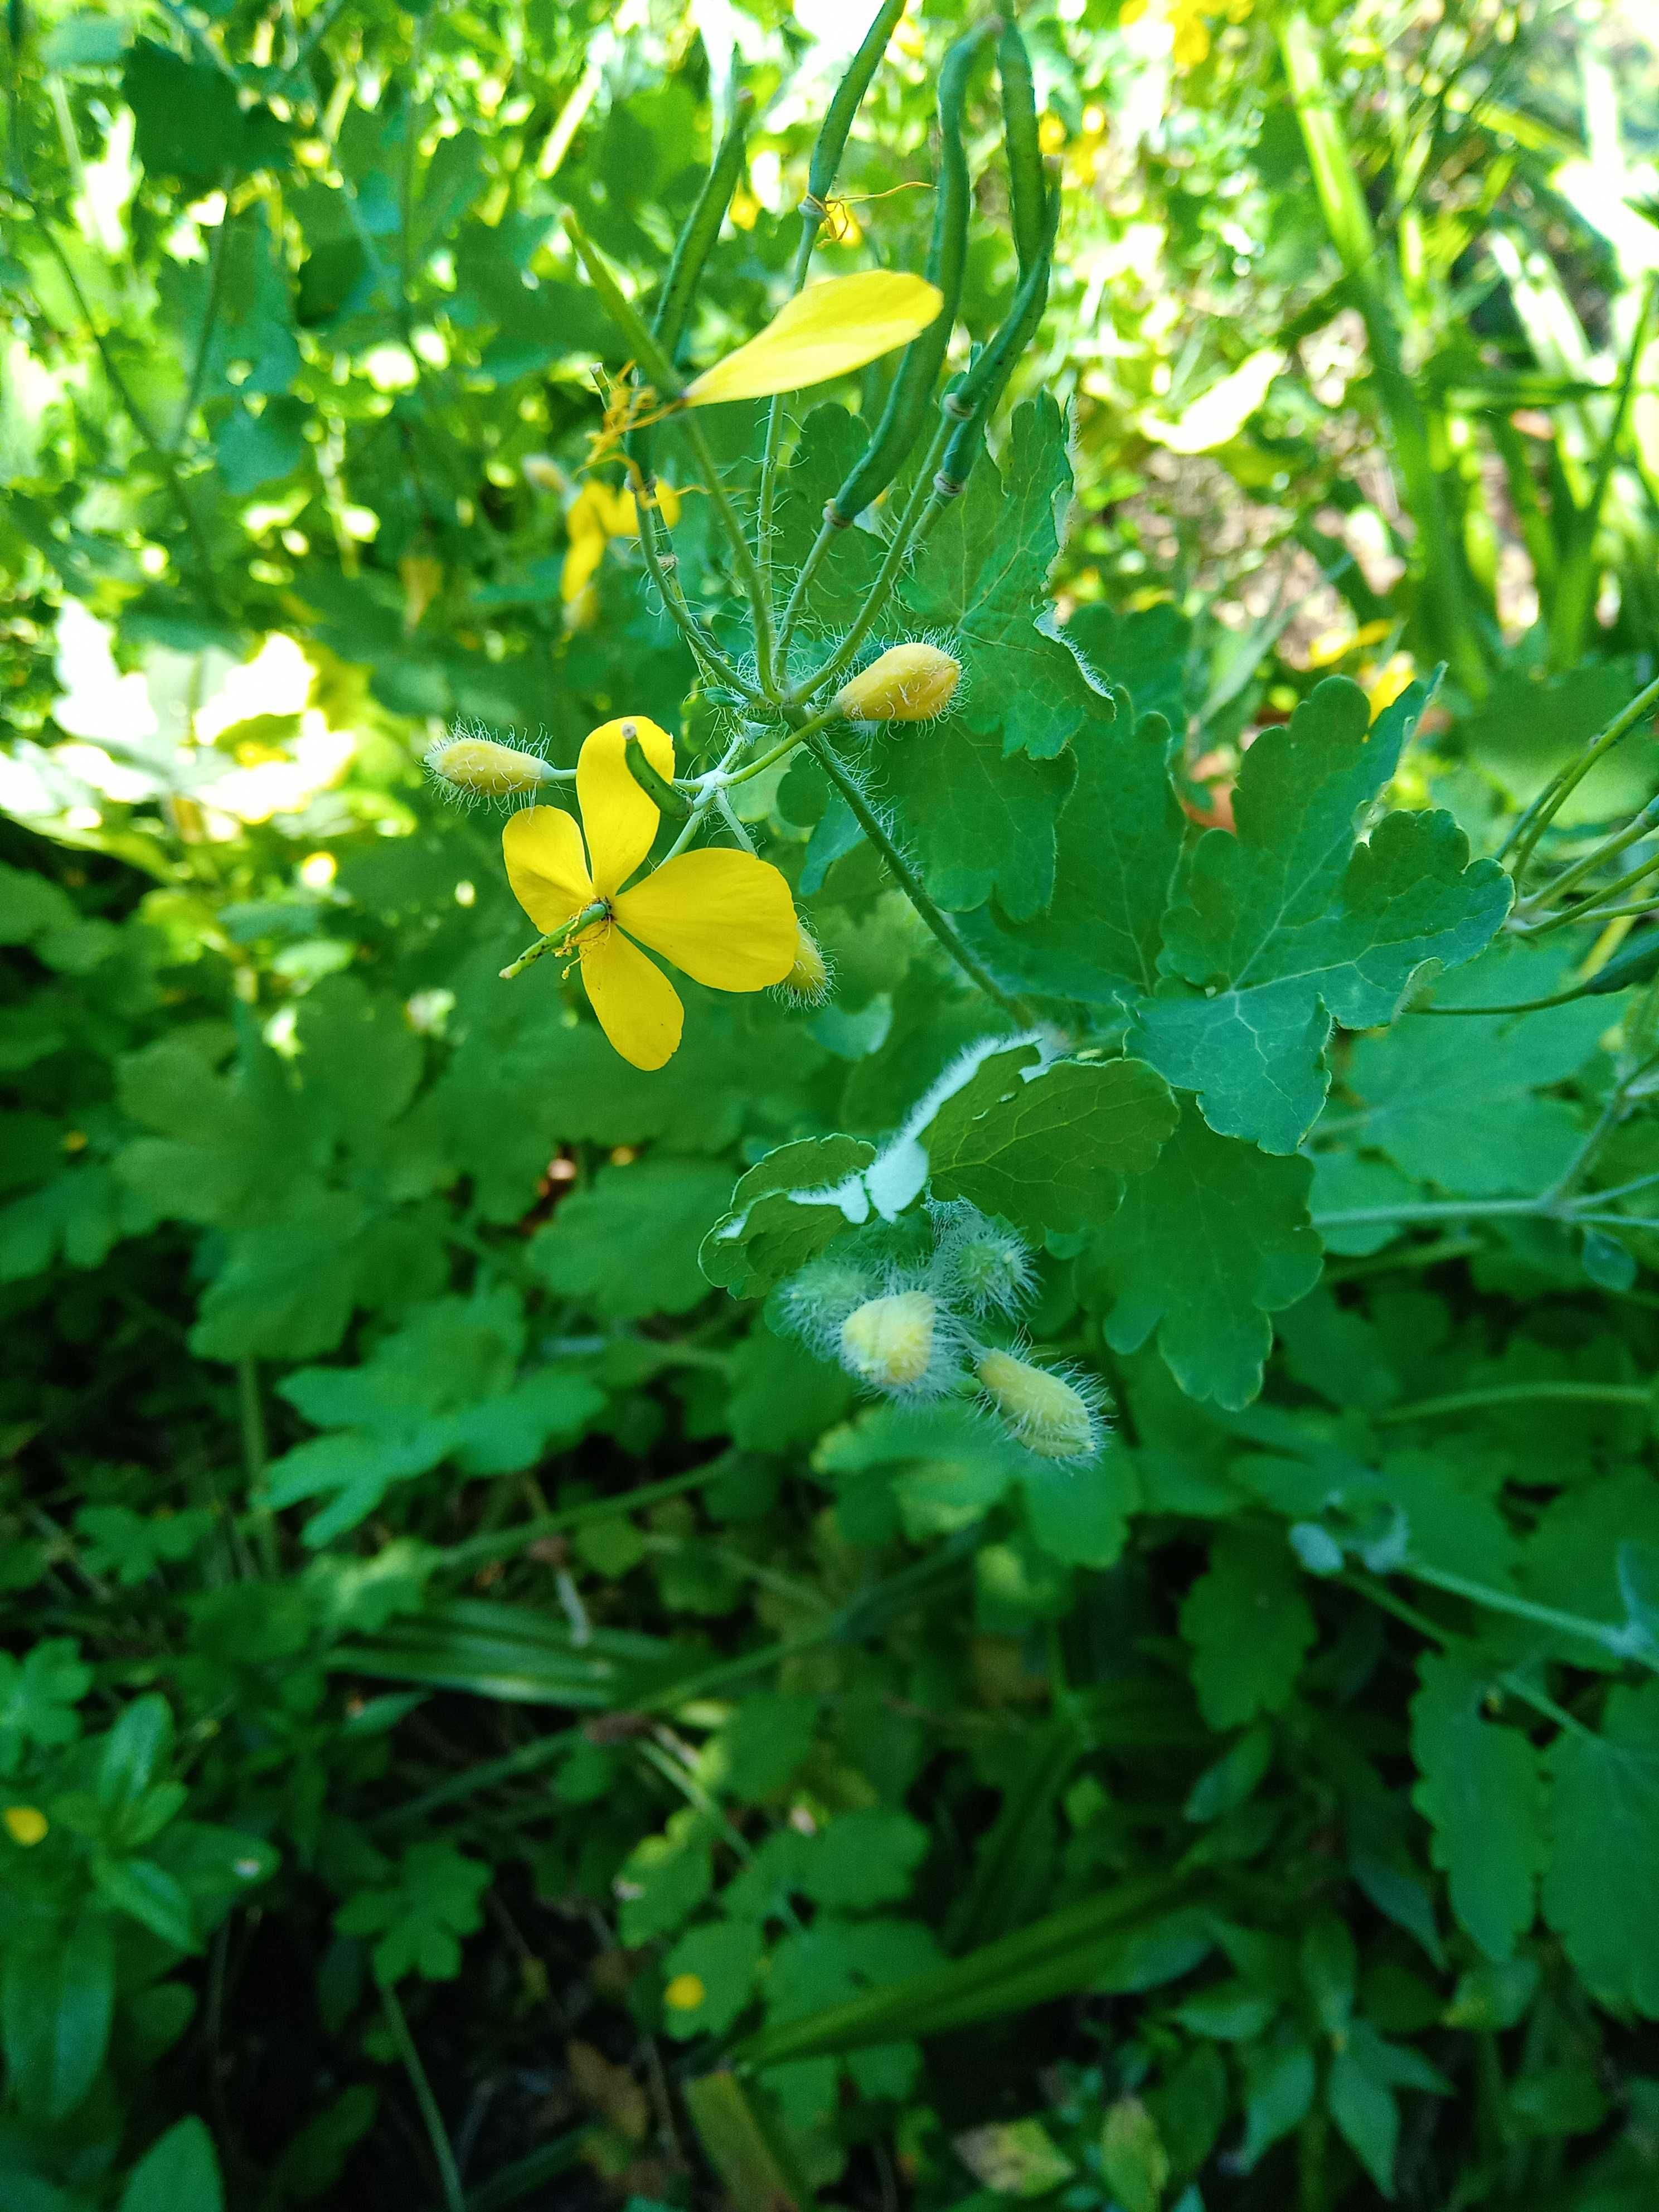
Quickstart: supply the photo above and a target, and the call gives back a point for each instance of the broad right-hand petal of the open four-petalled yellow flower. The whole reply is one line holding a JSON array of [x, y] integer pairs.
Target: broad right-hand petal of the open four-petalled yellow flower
[[724, 917]]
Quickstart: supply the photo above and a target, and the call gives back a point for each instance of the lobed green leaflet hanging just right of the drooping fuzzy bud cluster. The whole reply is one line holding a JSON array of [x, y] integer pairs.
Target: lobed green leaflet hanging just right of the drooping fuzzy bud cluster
[[1204, 1249]]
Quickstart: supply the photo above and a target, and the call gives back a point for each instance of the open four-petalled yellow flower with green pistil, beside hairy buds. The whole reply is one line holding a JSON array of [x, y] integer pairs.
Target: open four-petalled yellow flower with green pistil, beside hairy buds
[[722, 917]]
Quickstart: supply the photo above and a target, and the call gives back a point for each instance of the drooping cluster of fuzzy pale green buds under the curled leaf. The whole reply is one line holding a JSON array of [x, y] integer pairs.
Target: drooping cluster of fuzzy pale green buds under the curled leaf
[[921, 1328]]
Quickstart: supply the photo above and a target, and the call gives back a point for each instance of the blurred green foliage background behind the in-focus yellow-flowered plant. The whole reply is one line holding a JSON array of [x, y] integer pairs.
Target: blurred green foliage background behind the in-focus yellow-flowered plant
[[344, 1291]]
